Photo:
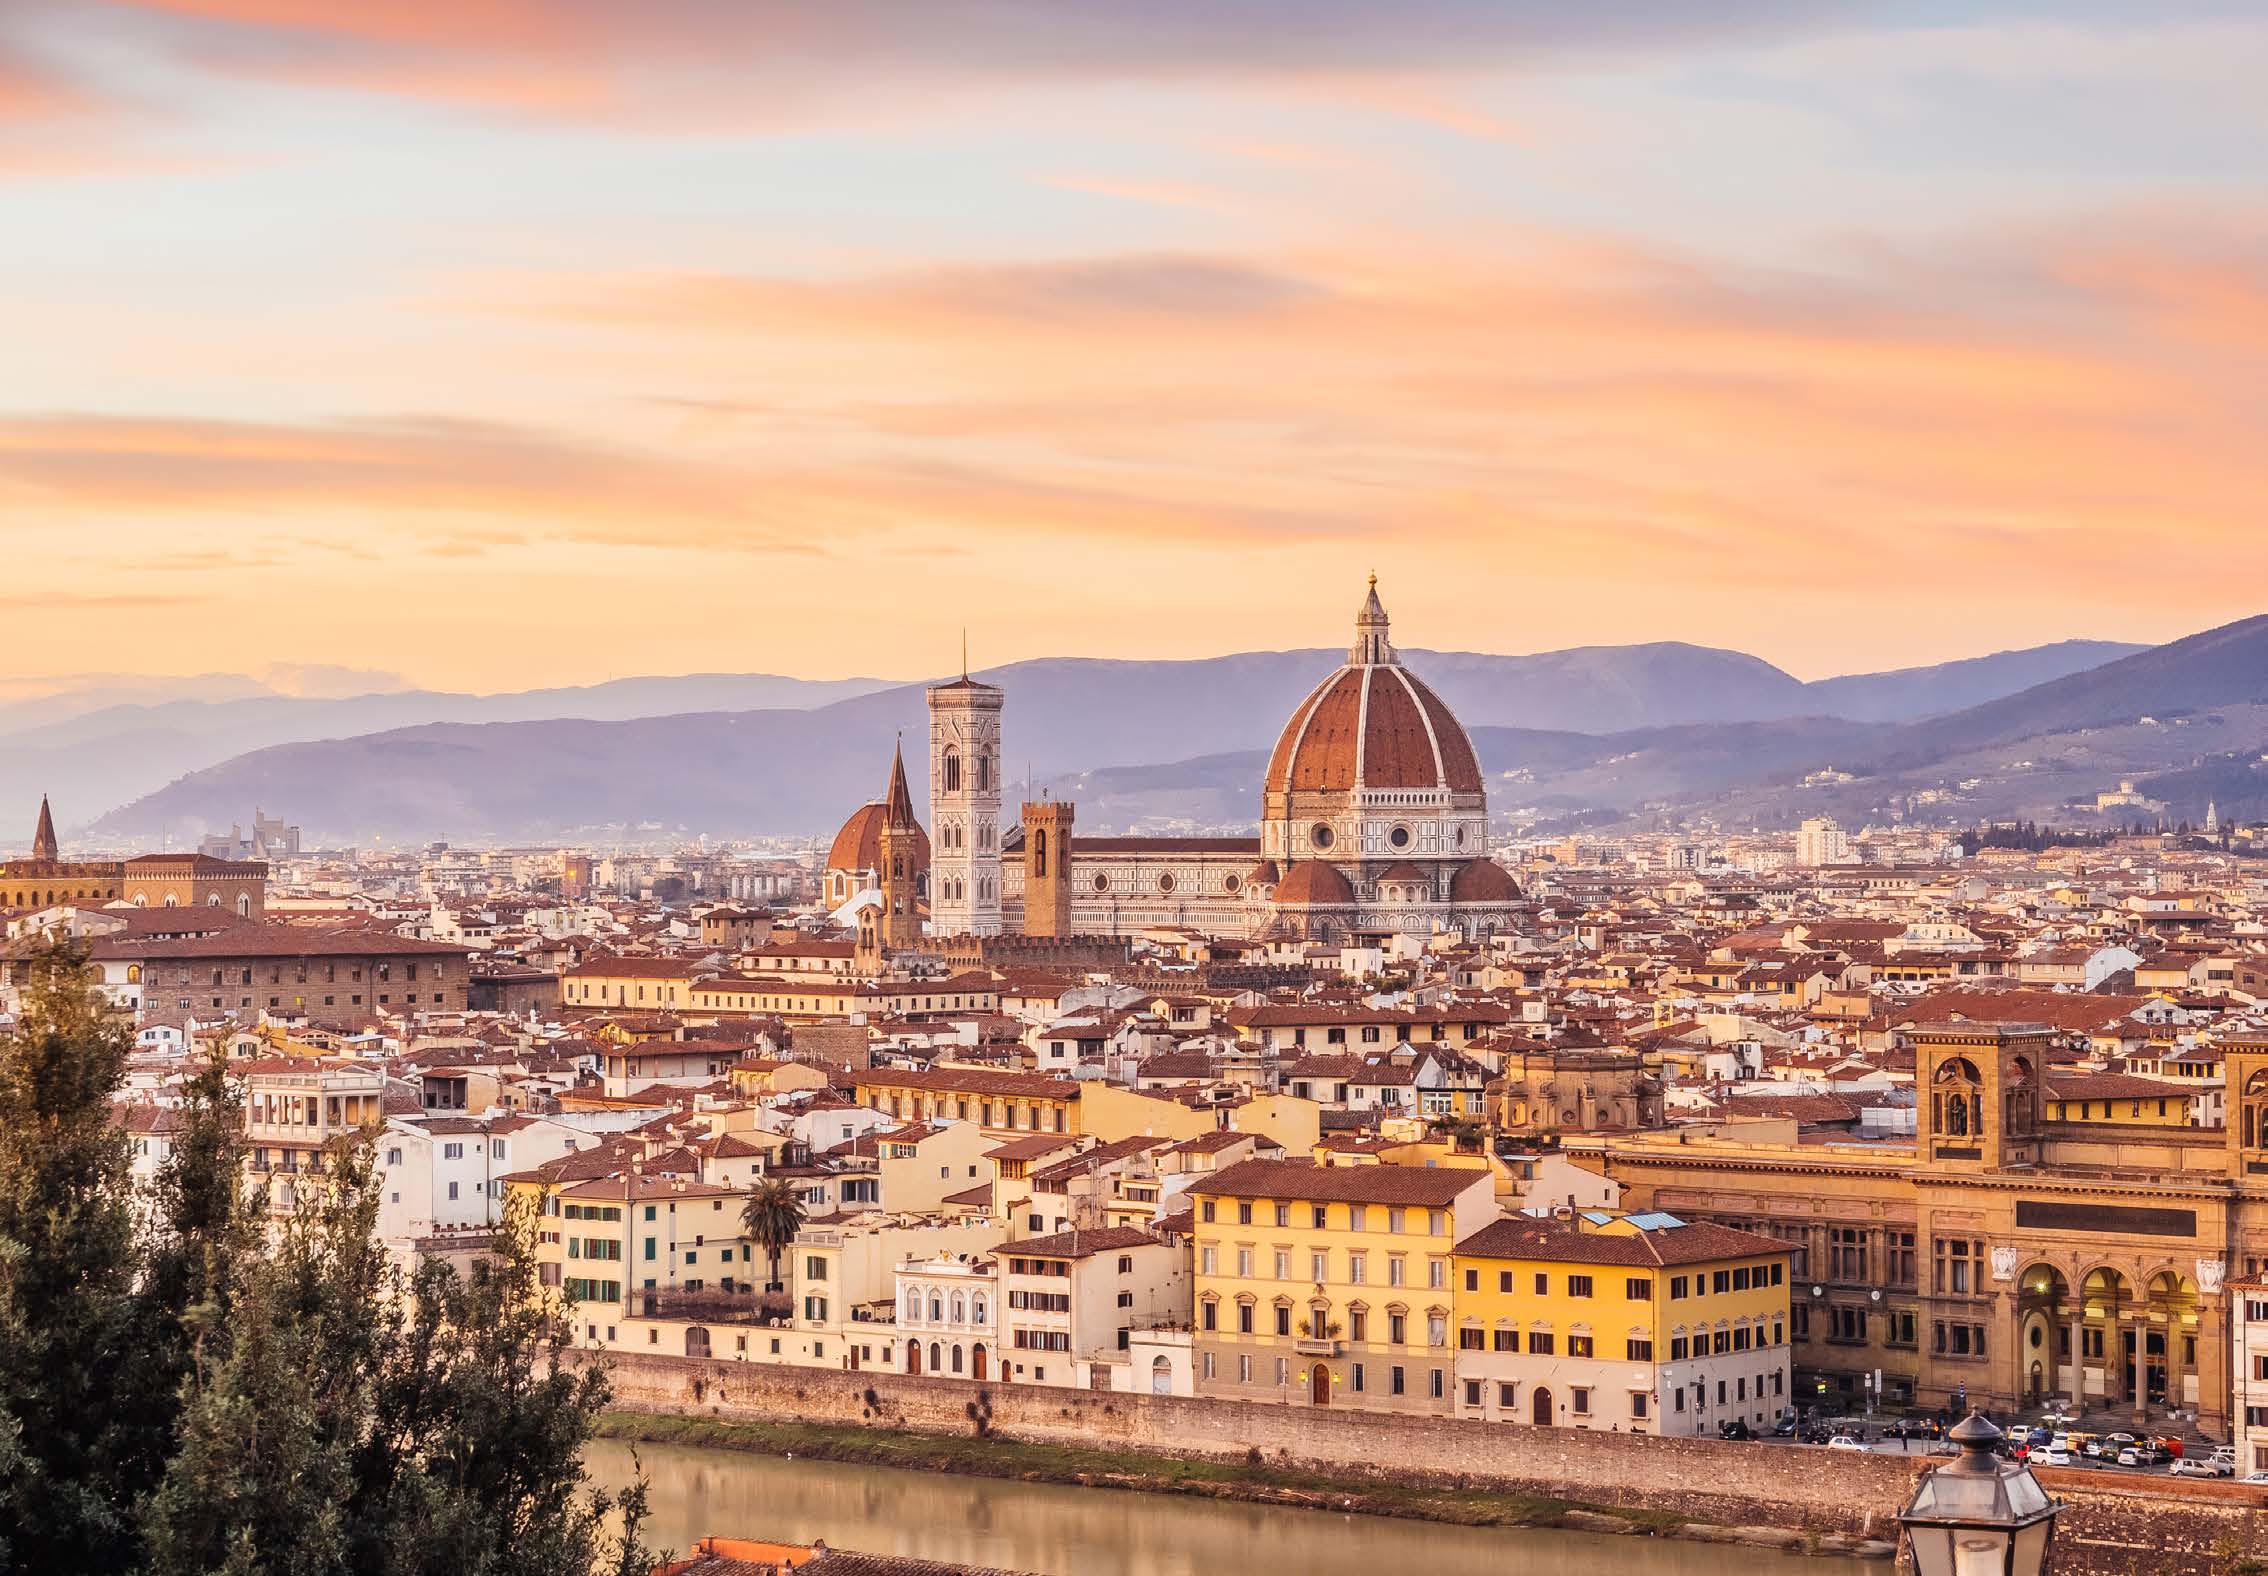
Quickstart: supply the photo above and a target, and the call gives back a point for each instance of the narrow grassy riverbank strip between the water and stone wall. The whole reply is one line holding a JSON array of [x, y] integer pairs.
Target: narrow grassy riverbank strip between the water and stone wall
[[1158, 1475]]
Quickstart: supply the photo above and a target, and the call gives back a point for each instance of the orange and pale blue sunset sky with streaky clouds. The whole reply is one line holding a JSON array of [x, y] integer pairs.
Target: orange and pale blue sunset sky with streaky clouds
[[505, 344]]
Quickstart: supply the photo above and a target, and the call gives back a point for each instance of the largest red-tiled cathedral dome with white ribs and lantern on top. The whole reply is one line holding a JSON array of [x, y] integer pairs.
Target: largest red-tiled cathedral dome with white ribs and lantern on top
[[1373, 727]]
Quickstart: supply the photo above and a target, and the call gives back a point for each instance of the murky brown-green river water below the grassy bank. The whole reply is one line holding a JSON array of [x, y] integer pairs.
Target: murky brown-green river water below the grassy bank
[[1097, 1532]]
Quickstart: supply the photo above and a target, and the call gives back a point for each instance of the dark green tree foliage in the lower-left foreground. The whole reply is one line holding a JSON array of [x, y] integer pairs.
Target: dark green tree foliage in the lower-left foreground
[[223, 1382]]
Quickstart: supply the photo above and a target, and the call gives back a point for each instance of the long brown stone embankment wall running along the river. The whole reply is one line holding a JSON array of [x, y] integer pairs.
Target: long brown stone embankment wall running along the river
[[2178, 1527]]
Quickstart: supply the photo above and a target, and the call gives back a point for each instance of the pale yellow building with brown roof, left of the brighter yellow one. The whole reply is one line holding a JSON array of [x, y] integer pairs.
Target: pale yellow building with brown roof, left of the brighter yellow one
[[1330, 1285]]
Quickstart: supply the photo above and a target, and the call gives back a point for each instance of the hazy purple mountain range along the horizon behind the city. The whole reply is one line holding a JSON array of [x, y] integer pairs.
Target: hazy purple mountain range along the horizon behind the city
[[1135, 743]]
